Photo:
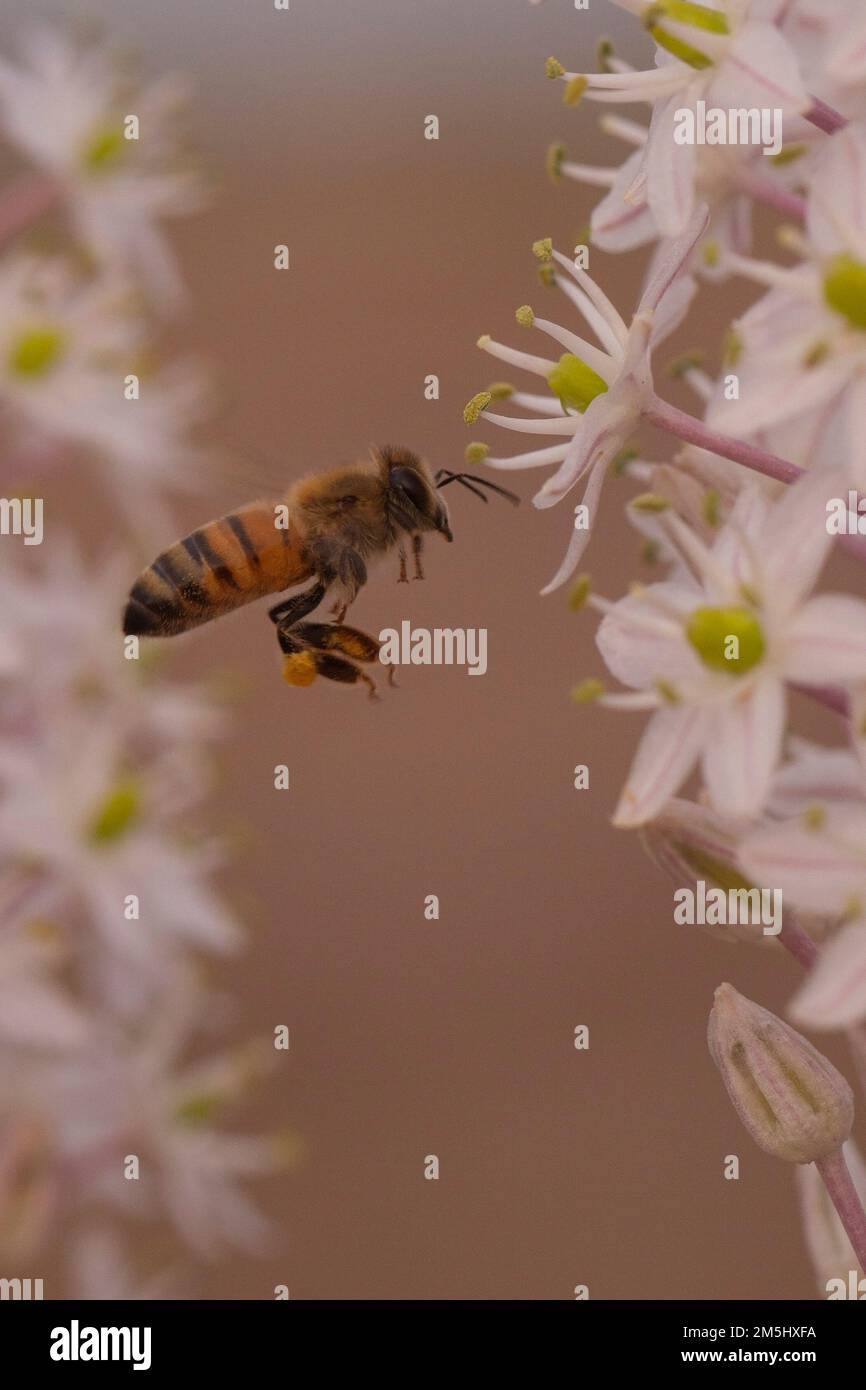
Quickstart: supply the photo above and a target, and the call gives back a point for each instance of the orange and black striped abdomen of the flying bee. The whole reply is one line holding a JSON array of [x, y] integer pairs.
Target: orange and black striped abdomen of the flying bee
[[215, 571]]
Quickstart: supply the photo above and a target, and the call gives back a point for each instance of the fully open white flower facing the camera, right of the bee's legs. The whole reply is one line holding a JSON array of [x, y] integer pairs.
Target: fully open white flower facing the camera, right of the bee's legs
[[711, 651]]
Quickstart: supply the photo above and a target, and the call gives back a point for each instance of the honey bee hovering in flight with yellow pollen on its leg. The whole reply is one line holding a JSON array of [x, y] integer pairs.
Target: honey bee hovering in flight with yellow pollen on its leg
[[327, 529]]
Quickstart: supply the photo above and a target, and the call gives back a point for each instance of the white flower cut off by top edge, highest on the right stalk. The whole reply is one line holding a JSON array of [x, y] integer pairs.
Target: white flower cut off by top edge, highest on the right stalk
[[725, 54]]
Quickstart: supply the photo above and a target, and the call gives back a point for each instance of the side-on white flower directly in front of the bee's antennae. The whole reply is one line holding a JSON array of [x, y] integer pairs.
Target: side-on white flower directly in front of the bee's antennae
[[600, 393]]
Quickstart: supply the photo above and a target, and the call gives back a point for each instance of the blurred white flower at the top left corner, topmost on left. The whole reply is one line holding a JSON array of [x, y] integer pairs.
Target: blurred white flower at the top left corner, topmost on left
[[66, 109]]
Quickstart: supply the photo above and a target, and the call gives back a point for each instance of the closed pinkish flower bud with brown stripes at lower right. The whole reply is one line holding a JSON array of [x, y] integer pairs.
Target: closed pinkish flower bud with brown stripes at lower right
[[793, 1102]]
